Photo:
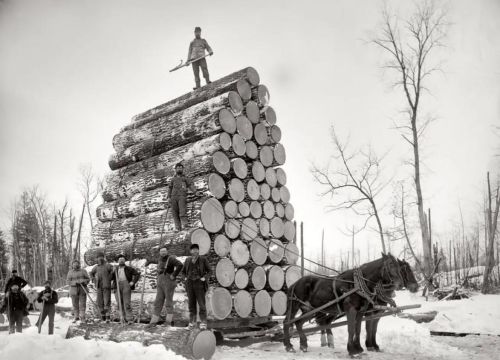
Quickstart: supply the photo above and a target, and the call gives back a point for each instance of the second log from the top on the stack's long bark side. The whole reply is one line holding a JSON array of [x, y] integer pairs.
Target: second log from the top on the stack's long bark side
[[155, 129]]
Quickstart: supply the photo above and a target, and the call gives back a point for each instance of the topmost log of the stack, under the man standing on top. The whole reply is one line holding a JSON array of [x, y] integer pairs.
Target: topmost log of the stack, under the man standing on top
[[223, 85]]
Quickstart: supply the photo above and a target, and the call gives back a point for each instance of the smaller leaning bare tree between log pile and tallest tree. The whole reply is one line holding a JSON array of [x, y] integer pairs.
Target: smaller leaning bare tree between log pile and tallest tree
[[355, 184]]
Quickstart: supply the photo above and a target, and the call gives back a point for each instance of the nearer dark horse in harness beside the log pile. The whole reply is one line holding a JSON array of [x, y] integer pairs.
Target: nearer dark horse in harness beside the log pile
[[311, 292]]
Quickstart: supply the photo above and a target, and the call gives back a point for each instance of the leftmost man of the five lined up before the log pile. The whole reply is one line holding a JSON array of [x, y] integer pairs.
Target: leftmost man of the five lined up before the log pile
[[78, 279]]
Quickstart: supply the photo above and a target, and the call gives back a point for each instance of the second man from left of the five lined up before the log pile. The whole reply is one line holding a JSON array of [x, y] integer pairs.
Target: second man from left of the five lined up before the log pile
[[101, 275]]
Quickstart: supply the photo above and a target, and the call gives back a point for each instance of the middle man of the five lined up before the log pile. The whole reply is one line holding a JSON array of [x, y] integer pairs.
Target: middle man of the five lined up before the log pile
[[124, 278]]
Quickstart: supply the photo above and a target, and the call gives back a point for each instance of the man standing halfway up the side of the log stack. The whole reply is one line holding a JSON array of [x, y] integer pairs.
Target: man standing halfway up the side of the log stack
[[177, 193]]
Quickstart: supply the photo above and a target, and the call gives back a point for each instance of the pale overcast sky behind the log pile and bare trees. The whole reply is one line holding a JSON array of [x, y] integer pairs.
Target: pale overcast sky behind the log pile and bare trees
[[72, 73]]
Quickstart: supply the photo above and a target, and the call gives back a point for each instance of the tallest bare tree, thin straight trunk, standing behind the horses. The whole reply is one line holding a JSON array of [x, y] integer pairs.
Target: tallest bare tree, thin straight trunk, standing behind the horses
[[409, 45]]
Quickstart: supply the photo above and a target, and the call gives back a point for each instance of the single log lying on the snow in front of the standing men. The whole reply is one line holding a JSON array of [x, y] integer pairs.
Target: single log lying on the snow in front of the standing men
[[189, 343]]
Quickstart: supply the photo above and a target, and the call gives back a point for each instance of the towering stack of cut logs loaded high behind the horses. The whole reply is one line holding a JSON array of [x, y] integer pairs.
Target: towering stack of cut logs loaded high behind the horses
[[226, 136]]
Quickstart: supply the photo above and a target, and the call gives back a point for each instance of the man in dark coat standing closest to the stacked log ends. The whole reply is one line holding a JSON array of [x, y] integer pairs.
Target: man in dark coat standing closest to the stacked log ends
[[196, 271]]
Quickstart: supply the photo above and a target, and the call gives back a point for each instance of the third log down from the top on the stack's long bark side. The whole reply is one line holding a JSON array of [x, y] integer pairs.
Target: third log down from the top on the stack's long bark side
[[172, 136]]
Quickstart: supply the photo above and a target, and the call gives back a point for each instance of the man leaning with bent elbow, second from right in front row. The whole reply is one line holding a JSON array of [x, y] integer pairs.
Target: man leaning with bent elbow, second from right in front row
[[168, 269]]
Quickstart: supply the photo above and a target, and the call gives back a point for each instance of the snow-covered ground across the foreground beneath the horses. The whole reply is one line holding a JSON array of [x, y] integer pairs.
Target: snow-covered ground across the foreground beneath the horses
[[398, 338]]
